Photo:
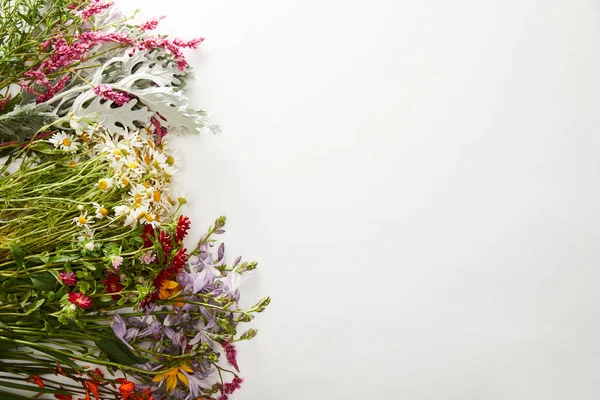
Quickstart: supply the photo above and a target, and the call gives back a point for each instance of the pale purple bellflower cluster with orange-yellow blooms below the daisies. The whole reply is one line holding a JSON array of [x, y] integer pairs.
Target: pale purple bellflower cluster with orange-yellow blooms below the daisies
[[190, 341]]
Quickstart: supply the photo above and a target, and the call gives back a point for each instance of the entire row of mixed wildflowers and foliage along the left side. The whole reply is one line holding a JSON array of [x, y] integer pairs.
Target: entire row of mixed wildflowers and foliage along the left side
[[99, 297]]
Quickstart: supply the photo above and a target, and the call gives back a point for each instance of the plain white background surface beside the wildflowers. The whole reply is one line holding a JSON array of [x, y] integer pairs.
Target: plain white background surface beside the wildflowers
[[420, 181]]
